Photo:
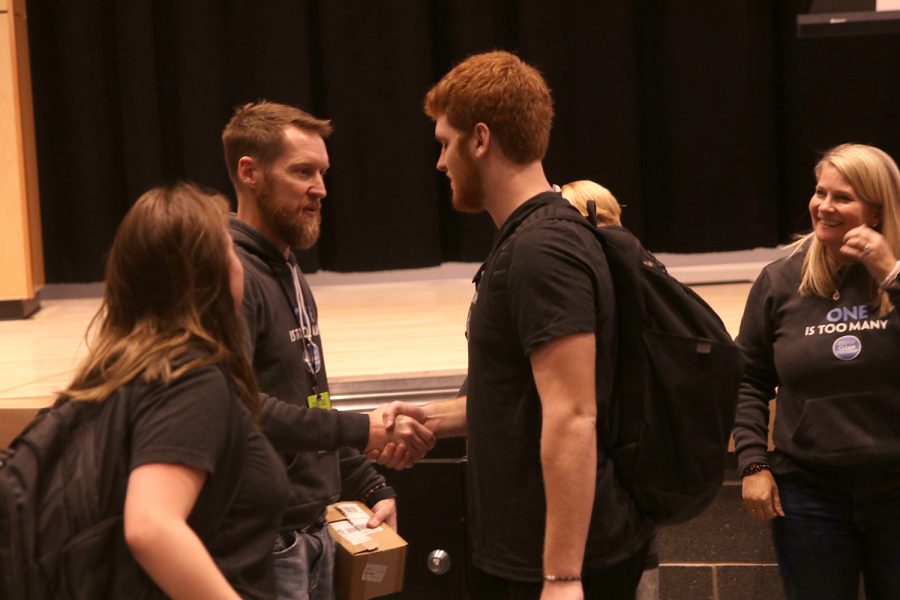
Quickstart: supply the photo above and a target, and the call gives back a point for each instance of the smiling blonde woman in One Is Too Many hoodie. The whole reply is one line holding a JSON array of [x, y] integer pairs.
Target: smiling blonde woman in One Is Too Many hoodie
[[820, 333]]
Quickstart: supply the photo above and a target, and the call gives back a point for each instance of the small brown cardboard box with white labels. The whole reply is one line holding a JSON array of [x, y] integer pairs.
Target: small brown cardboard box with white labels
[[368, 562]]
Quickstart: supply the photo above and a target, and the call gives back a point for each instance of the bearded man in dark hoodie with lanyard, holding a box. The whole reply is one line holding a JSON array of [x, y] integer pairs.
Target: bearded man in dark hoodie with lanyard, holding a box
[[276, 159]]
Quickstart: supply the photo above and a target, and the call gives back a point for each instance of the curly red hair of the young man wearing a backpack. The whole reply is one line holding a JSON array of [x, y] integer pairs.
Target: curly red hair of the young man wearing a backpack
[[503, 92]]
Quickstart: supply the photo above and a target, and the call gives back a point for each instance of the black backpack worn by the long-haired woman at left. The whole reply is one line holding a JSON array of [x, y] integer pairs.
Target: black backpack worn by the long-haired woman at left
[[61, 500]]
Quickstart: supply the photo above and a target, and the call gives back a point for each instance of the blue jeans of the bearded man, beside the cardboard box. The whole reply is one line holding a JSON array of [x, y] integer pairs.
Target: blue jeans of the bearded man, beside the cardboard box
[[304, 564]]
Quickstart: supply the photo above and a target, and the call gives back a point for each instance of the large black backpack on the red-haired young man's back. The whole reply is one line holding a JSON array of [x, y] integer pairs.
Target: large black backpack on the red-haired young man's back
[[676, 380]]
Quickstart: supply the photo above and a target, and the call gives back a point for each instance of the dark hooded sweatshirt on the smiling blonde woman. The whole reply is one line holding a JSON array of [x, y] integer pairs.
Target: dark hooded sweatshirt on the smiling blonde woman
[[833, 367]]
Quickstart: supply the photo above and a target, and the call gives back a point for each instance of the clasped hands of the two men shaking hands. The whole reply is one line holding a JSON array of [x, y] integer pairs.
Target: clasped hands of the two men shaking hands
[[398, 436]]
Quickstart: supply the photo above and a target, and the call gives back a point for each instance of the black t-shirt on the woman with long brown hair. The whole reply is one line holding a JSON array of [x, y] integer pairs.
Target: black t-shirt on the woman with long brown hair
[[197, 421]]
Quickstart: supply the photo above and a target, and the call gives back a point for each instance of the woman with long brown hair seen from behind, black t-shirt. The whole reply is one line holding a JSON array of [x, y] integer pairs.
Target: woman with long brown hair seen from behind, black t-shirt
[[205, 491]]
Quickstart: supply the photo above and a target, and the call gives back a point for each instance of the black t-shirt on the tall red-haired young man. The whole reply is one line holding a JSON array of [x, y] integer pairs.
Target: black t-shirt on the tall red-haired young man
[[554, 283]]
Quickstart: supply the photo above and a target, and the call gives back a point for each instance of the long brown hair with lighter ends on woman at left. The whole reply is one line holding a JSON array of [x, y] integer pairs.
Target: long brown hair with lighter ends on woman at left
[[167, 296]]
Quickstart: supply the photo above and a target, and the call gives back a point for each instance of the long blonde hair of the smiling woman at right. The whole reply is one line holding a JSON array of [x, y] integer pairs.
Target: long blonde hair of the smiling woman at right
[[875, 179]]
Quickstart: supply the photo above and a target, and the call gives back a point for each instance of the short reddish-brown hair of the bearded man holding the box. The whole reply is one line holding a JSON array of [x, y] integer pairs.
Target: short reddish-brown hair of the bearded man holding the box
[[257, 130]]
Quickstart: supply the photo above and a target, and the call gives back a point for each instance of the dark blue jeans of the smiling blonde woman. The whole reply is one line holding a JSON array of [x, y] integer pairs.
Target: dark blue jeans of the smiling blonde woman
[[827, 539]]
